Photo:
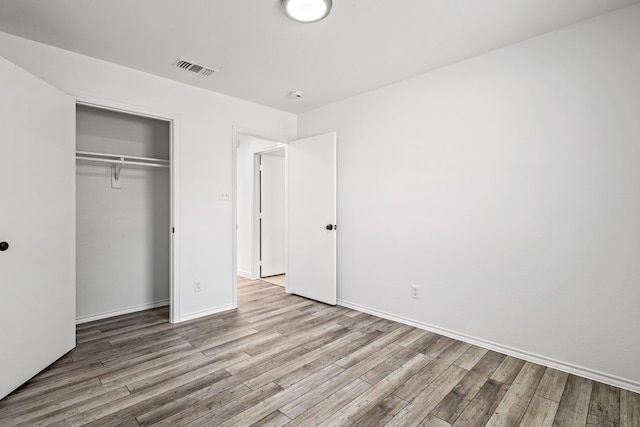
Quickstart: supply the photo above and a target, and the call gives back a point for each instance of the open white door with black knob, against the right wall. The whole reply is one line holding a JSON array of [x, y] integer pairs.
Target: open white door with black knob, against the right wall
[[311, 218]]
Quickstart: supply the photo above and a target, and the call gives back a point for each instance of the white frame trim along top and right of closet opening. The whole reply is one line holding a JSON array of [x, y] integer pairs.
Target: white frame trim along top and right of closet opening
[[174, 184]]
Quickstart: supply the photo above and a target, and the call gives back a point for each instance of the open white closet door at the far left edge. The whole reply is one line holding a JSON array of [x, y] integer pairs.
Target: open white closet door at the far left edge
[[37, 222]]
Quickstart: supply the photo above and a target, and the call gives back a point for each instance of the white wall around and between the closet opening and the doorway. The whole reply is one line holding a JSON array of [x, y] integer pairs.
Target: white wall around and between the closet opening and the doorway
[[206, 123]]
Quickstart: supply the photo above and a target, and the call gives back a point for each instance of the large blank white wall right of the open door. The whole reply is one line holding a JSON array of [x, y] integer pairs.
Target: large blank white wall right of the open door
[[507, 187]]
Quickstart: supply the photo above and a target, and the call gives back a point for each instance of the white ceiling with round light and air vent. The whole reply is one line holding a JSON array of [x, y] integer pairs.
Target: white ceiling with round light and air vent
[[262, 55]]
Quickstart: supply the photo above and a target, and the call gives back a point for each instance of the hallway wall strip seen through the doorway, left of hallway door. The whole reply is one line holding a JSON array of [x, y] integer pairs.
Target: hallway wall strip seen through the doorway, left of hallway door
[[247, 146]]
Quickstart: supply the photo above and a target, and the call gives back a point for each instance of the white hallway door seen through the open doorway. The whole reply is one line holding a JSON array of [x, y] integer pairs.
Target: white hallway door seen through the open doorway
[[272, 224]]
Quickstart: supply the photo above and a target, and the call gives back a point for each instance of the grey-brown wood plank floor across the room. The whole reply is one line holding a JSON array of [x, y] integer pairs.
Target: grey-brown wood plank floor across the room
[[284, 360]]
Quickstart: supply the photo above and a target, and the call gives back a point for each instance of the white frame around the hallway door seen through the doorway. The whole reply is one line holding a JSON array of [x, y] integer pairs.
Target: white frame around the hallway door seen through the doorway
[[256, 225]]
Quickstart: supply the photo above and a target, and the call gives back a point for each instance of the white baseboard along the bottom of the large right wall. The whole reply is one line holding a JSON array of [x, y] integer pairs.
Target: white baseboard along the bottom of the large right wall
[[570, 368]]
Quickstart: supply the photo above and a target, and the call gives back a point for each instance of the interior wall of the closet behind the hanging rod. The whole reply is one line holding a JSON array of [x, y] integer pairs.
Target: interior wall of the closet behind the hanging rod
[[122, 234]]
